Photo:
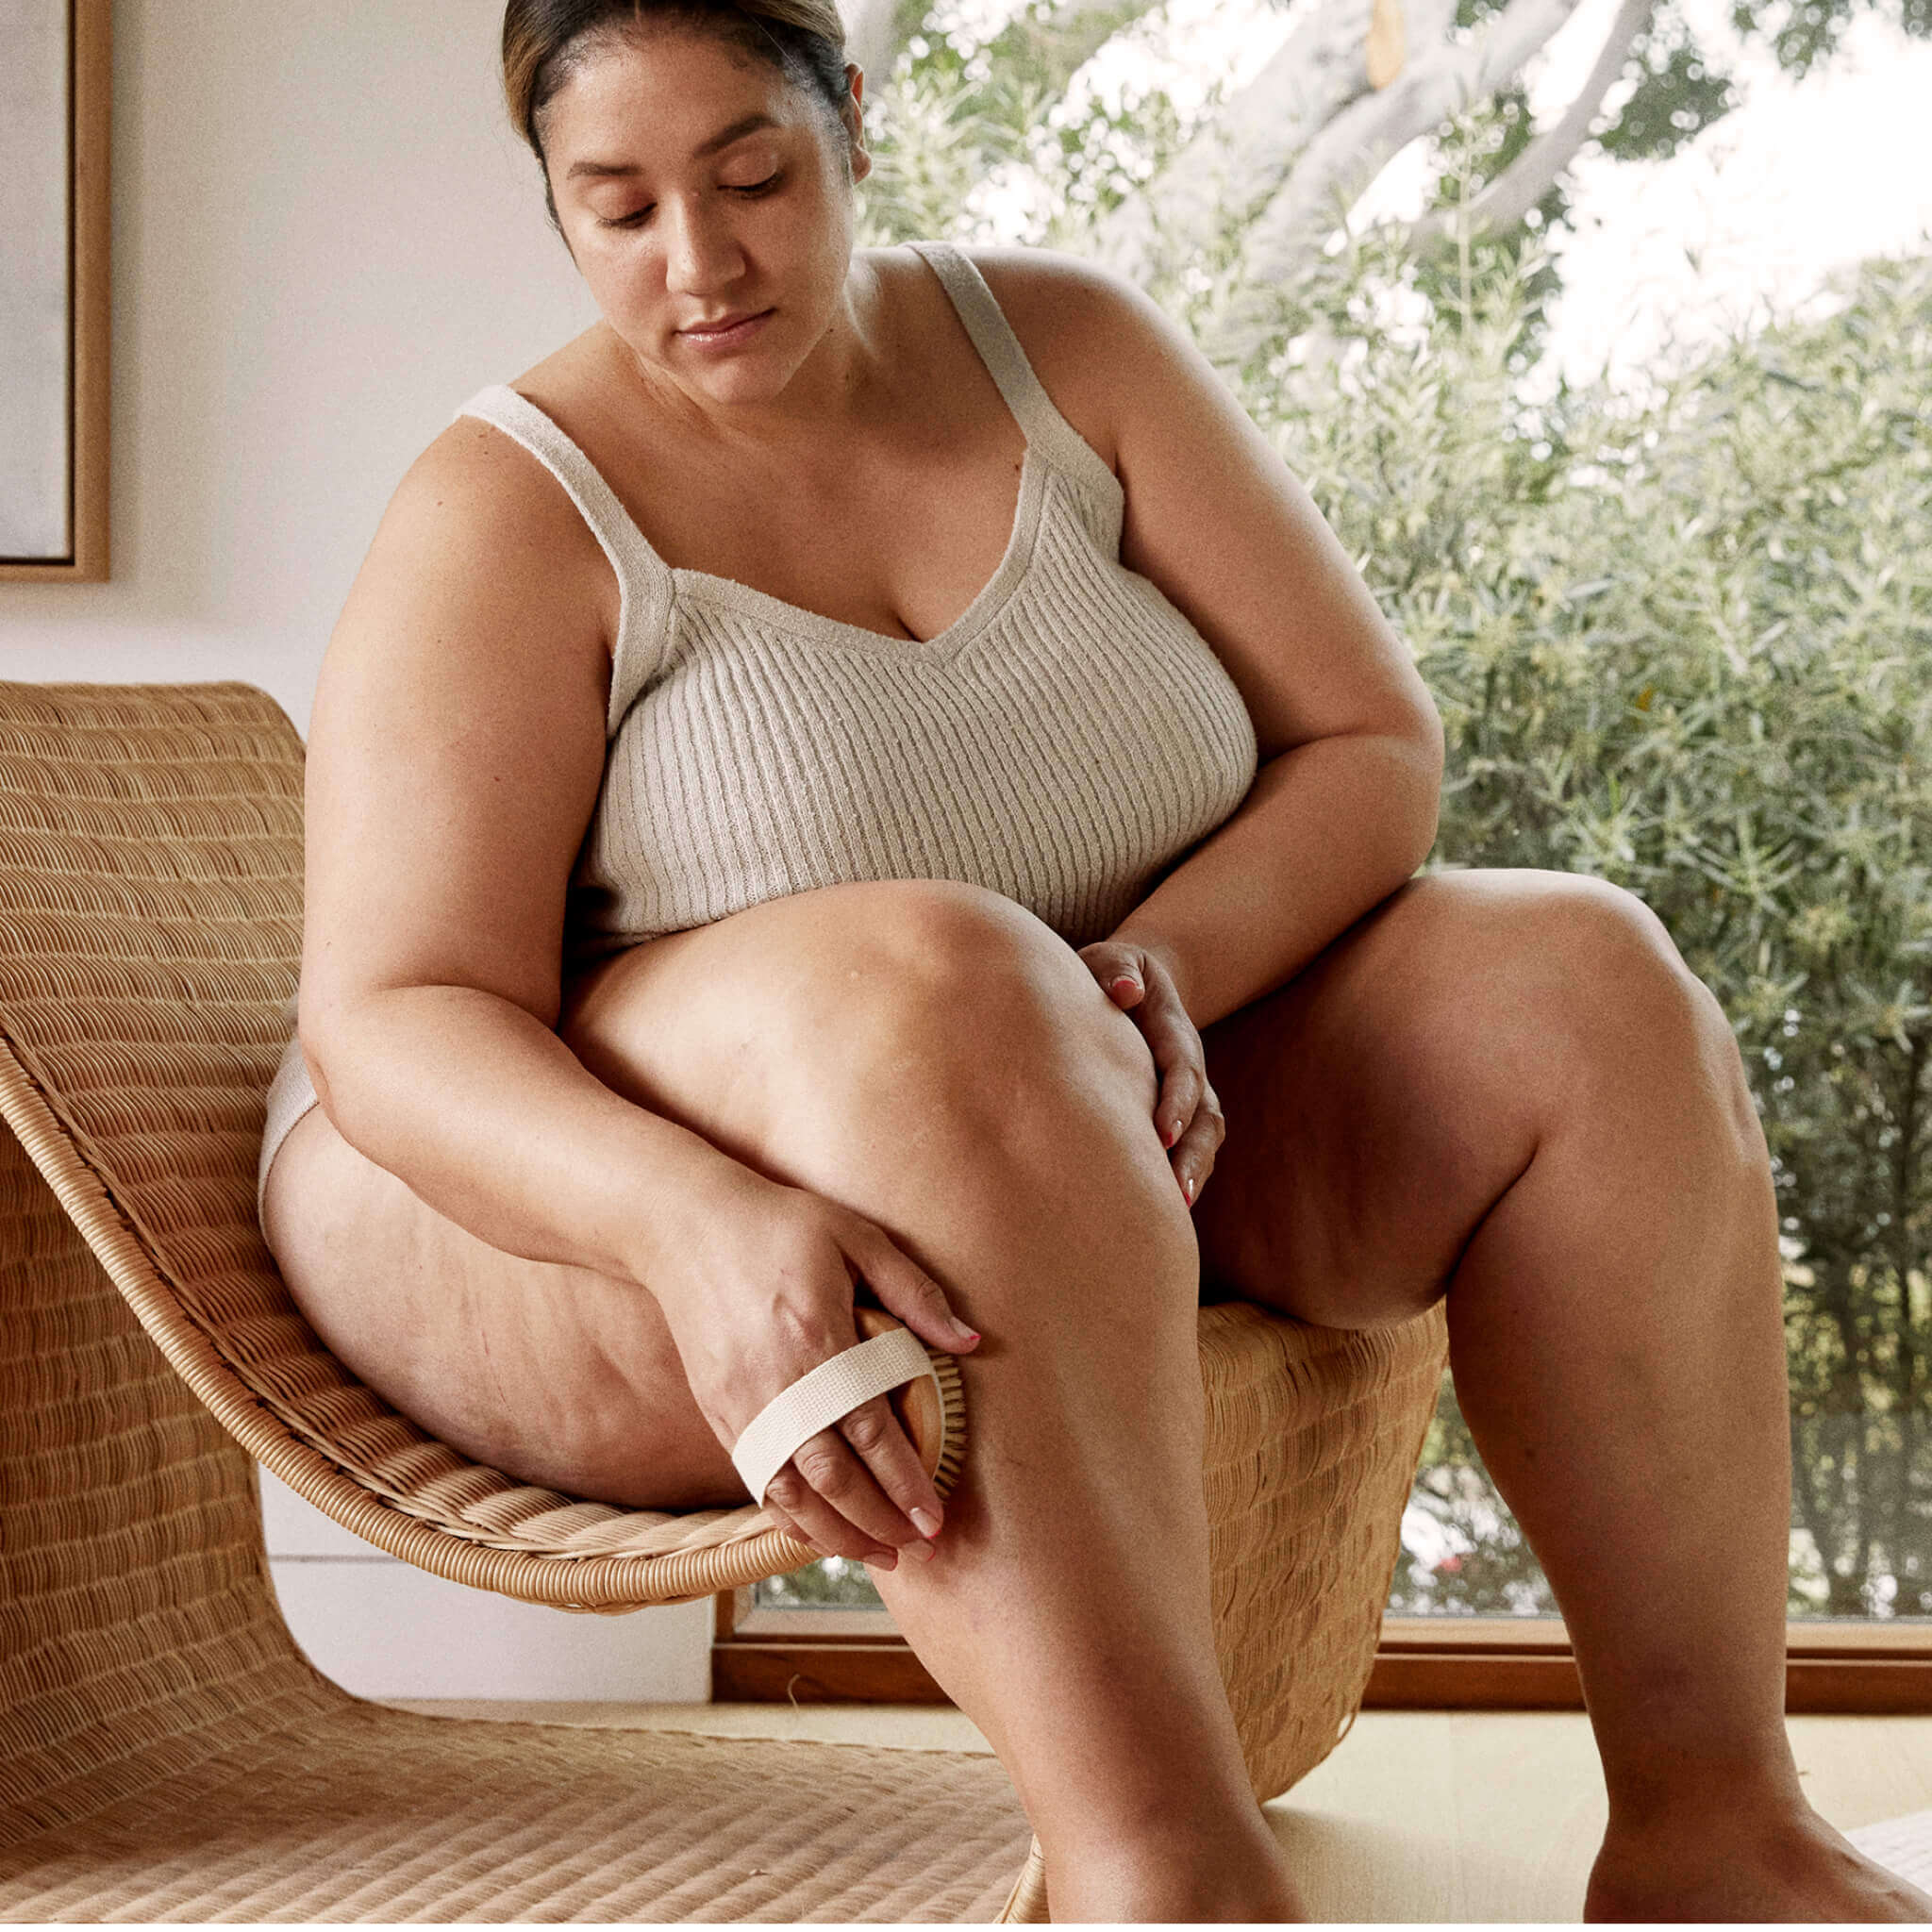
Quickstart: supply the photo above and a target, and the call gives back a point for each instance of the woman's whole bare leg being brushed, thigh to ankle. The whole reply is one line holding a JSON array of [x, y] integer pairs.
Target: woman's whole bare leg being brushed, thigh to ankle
[[938, 1062]]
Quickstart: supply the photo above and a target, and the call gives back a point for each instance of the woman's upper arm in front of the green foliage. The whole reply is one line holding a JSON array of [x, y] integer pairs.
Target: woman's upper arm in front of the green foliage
[[1216, 519]]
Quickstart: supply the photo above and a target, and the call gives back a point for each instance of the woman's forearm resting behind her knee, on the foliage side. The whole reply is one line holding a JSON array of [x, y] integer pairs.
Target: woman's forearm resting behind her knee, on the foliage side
[[1326, 834]]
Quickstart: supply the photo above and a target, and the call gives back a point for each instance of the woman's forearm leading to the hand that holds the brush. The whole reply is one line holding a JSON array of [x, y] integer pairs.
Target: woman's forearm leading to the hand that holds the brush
[[484, 1114]]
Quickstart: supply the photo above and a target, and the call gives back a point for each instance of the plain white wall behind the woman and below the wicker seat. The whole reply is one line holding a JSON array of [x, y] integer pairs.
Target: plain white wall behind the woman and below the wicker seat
[[326, 241]]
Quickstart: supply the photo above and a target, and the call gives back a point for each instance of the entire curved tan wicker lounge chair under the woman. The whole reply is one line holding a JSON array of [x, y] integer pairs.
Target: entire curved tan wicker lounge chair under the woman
[[165, 1751]]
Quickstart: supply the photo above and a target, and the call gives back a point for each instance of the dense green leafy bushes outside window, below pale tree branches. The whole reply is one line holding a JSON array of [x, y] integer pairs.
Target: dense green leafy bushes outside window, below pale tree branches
[[1686, 644]]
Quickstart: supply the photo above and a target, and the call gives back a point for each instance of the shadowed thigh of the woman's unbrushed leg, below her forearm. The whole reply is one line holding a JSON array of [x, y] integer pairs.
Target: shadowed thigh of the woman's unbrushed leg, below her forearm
[[1386, 1098]]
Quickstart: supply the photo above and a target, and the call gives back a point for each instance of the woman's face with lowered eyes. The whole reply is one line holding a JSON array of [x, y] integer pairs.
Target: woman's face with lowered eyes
[[696, 185]]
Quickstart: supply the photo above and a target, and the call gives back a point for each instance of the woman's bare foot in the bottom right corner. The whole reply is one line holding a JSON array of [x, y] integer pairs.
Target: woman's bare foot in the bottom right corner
[[1780, 1871]]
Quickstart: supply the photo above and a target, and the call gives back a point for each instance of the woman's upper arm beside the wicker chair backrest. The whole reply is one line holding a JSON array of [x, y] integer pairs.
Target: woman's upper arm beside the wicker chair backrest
[[459, 739]]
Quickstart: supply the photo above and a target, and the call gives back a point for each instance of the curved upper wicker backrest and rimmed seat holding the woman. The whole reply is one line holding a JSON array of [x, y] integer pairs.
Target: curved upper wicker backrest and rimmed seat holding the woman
[[150, 950]]
